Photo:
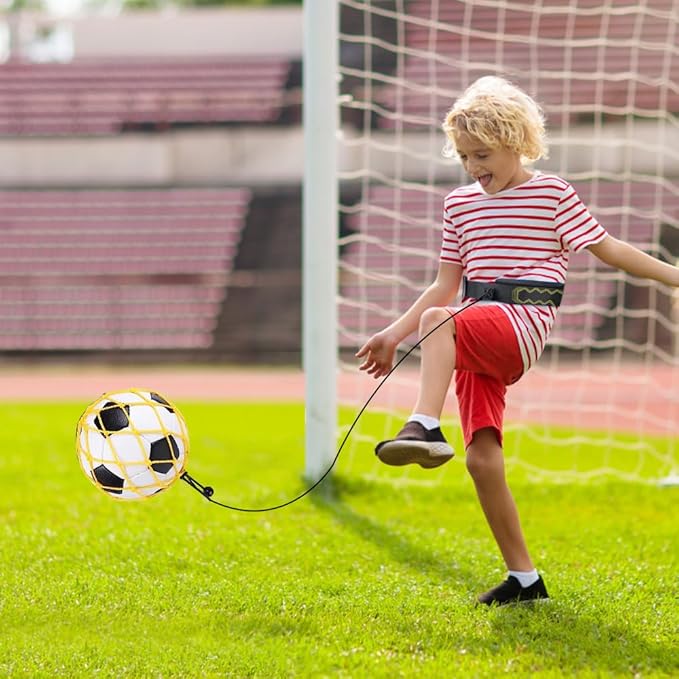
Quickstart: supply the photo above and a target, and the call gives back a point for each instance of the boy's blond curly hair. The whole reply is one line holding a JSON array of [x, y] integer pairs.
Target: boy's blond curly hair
[[500, 115]]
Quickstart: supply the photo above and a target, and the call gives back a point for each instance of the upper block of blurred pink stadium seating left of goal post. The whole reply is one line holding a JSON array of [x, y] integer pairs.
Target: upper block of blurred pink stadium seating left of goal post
[[98, 97]]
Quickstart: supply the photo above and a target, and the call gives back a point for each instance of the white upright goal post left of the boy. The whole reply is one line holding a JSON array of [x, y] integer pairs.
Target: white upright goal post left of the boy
[[319, 234]]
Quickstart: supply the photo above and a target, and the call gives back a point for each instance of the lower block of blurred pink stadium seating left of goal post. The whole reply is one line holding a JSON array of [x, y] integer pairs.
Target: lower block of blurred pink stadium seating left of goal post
[[116, 269]]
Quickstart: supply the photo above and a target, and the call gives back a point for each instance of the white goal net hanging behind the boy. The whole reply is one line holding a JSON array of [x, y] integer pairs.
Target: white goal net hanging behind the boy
[[604, 398]]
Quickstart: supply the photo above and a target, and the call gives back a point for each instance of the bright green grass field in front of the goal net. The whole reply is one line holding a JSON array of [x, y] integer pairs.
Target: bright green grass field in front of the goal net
[[372, 577]]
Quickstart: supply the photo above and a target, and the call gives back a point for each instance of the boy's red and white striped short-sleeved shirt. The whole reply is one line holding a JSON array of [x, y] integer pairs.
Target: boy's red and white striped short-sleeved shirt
[[523, 232]]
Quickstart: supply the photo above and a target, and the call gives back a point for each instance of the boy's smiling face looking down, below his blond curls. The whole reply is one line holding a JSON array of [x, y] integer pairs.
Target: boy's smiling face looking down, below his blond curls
[[496, 169]]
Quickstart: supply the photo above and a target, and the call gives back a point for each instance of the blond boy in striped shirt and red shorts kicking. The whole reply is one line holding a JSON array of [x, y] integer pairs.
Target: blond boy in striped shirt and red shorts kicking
[[506, 239]]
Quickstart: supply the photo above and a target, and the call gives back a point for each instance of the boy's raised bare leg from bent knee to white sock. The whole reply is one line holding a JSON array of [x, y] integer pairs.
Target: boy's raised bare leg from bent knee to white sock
[[437, 363]]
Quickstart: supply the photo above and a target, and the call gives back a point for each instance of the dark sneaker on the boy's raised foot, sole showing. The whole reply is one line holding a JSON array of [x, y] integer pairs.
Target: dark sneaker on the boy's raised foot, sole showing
[[415, 445]]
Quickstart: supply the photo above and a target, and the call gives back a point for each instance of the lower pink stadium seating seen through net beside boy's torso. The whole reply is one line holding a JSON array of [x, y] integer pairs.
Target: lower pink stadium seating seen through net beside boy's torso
[[383, 272]]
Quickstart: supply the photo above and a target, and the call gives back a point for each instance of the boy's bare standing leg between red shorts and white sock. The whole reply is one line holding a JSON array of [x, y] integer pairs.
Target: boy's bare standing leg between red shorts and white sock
[[485, 462]]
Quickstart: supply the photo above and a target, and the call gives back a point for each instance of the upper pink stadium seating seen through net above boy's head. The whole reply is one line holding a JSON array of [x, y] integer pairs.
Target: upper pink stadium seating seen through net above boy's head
[[566, 67]]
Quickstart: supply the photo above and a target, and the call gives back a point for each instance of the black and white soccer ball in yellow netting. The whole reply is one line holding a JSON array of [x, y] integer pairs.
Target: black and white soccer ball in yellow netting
[[132, 444]]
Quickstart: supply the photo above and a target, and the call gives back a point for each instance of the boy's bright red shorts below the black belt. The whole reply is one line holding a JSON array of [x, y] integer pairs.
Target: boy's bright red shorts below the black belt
[[487, 360]]
